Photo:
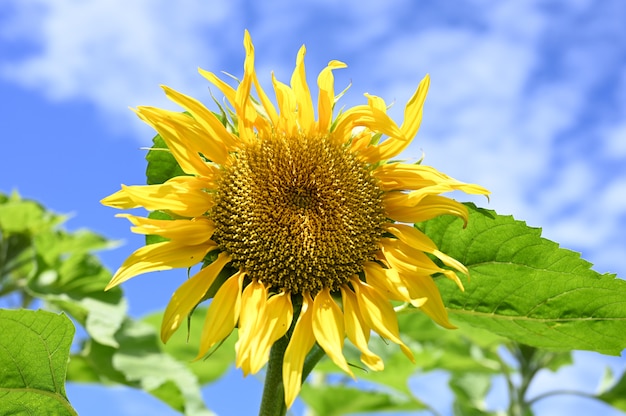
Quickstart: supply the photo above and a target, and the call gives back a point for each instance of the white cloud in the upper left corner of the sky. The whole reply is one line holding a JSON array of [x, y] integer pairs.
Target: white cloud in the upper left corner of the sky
[[115, 53]]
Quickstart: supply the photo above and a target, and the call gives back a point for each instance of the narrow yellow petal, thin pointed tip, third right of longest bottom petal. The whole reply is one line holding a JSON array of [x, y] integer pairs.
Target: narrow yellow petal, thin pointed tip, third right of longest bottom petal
[[378, 314]]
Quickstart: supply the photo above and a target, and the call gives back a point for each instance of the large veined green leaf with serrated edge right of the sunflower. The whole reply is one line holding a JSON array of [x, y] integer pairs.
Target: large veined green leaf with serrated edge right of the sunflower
[[526, 288]]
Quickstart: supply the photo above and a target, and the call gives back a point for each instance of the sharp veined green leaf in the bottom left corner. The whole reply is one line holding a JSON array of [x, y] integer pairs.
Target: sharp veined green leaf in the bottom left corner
[[35, 350]]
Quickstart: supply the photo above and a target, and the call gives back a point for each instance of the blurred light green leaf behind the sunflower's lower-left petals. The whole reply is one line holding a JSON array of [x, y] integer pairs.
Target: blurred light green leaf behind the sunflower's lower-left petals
[[184, 347]]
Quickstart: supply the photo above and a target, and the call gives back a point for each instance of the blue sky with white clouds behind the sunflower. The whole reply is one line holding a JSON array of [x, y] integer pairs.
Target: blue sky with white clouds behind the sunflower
[[527, 98]]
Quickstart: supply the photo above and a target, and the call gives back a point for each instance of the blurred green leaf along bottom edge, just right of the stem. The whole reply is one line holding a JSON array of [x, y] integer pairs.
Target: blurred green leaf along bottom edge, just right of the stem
[[340, 400]]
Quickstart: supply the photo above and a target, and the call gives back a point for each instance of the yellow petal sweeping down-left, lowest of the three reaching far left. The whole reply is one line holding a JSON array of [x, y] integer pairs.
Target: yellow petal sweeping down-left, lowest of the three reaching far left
[[160, 256]]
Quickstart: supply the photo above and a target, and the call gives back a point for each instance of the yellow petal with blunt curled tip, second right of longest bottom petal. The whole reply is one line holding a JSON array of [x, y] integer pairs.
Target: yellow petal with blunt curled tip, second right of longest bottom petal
[[357, 331]]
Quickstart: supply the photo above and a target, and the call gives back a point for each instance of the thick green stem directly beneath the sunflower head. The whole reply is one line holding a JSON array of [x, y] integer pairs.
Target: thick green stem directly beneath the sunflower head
[[273, 401]]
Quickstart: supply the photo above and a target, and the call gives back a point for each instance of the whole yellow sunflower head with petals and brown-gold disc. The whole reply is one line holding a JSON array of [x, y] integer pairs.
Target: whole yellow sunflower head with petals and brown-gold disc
[[307, 218]]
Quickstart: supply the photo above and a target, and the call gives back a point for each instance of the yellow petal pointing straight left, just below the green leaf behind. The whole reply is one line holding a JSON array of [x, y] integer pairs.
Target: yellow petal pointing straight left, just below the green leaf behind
[[182, 195]]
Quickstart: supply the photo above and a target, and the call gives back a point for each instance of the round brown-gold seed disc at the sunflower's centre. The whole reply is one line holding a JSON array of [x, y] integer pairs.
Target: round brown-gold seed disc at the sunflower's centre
[[298, 213]]
